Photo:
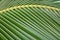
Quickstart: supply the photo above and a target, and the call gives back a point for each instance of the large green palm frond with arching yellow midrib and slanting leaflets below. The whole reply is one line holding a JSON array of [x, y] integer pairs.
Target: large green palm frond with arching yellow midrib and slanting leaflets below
[[30, 22]]
